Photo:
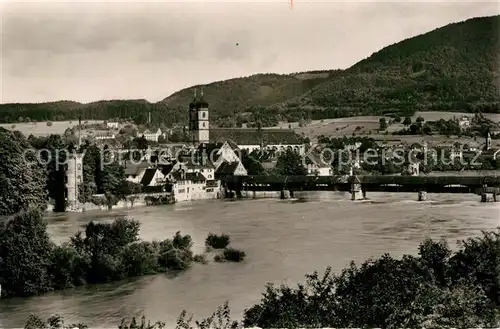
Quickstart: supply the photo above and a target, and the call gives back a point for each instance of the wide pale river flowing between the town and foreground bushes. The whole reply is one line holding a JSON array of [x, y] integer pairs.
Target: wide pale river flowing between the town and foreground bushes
[[283, 241]]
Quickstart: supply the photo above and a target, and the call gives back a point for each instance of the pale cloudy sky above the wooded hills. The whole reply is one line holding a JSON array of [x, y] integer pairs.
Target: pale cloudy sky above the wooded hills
[[87, 51]]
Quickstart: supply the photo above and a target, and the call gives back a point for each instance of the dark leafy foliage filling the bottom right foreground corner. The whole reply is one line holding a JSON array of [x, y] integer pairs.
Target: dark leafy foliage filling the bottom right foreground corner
[[434, 290]]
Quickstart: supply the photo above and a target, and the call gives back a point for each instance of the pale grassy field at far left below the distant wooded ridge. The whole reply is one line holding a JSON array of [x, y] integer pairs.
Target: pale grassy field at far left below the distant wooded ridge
[[41, 128]]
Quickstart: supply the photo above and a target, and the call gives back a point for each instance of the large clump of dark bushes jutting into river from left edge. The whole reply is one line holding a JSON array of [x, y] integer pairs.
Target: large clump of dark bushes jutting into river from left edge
[[31, 264]]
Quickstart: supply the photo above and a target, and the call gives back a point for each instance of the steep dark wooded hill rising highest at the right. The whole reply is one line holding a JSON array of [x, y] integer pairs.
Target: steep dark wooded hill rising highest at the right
[[453, 68]]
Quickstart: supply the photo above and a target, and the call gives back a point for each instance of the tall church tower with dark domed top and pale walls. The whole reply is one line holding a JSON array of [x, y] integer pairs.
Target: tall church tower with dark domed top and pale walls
[[198, 120]]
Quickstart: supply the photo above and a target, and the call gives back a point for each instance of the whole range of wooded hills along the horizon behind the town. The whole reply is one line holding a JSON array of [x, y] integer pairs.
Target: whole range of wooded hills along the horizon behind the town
[[452, 68]]
